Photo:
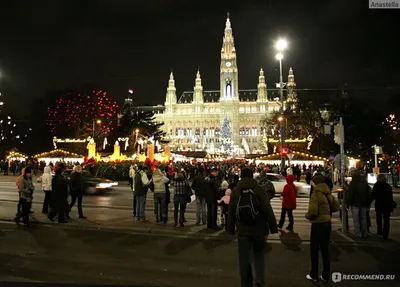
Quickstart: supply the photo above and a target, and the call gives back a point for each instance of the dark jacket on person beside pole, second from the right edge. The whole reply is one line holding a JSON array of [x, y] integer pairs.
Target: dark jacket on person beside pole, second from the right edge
[[359, 192]]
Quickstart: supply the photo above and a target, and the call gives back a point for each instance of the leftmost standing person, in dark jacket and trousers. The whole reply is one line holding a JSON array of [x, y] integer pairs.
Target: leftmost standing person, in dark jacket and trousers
[[26, 188]]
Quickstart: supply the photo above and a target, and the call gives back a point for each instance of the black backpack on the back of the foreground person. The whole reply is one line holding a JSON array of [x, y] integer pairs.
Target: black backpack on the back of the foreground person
[[247, 209]]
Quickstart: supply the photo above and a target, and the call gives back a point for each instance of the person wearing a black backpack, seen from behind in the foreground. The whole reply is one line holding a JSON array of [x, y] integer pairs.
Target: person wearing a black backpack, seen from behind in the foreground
[[251, 213]]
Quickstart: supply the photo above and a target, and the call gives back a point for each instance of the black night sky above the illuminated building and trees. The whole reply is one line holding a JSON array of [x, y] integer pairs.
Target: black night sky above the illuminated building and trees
[[116, 45]]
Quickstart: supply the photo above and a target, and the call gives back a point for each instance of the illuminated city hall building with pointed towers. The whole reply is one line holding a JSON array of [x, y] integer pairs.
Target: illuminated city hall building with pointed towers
[[193, 122]]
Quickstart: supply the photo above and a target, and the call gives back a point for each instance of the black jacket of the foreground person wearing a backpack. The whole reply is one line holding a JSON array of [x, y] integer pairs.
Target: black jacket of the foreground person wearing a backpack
[[264, 224]]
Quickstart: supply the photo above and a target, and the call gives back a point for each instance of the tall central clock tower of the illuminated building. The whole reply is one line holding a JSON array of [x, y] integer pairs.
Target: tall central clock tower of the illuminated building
[[228, 69]]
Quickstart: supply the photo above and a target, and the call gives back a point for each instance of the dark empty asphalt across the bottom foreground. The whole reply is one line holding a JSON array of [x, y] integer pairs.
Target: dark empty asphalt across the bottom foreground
[[59, 254]]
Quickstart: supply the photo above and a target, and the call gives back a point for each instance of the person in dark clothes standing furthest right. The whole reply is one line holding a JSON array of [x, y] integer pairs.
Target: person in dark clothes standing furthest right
[[382, 194]]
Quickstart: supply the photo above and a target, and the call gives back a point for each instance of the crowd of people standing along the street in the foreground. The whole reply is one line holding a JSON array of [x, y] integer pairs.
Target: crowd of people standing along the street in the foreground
[[232, 195]]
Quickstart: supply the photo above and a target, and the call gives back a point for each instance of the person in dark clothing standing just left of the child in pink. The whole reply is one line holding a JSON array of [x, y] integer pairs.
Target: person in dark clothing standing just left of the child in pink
[[211, 198]]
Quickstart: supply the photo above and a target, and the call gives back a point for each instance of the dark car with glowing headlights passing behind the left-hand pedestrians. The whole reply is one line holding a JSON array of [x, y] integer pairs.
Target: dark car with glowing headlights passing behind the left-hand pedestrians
[[93, 185]]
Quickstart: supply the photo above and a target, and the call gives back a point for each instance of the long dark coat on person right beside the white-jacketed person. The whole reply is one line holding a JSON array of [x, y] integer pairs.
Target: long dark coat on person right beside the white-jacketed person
[[59, 194]]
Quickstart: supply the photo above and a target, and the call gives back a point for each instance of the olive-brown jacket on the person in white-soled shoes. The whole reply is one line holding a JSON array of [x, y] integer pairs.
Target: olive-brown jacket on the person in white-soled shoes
[[318, 208]]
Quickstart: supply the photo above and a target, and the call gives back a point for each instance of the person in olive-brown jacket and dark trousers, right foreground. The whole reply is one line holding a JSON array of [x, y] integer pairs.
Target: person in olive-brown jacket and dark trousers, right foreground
[[322, 205]]
